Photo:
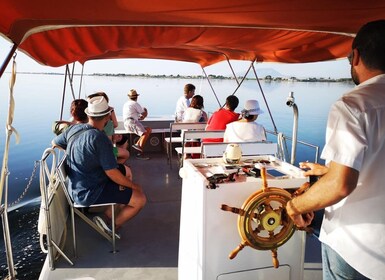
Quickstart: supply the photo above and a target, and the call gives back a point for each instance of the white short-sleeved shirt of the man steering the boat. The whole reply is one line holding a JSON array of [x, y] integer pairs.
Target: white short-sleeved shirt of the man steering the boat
[[355, 137]]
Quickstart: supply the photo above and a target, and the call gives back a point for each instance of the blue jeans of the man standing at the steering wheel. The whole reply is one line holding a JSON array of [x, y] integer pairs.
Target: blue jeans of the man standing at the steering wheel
[[335, 268]]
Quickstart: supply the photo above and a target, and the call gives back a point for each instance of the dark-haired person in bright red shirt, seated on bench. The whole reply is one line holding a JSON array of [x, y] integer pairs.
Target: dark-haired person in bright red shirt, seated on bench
[[222, 117]]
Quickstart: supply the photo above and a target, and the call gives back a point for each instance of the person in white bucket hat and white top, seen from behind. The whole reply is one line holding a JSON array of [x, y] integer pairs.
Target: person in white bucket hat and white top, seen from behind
[[246, 129]]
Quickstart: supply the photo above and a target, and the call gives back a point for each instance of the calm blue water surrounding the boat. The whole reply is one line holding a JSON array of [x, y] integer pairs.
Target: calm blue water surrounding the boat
[[38, 99]]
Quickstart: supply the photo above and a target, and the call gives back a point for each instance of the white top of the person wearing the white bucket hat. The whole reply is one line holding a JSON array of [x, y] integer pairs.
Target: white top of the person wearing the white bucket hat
[[244, 132]]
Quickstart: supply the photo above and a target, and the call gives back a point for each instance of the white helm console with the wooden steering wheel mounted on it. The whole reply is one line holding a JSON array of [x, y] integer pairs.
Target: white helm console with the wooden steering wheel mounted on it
[[208, 234]]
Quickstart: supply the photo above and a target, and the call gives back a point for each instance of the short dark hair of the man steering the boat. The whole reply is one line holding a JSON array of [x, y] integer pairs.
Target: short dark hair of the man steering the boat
[[370, 43]]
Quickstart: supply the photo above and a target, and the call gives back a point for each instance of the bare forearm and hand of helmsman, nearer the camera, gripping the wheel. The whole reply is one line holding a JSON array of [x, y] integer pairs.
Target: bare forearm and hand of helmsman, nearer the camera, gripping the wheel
[[335, 185]]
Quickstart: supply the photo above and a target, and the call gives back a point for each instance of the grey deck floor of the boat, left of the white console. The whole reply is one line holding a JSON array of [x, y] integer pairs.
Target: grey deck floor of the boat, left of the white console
[[148, 248]]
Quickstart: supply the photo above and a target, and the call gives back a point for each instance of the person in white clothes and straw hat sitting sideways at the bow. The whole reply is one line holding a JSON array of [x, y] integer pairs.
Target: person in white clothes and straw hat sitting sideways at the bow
[[133, 113]]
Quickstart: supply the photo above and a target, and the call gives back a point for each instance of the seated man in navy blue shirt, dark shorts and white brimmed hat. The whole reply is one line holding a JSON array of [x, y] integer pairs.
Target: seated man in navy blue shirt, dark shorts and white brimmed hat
[[94, 175]]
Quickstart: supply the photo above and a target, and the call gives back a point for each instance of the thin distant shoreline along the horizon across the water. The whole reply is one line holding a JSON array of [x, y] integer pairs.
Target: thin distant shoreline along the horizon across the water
[[267, 78]]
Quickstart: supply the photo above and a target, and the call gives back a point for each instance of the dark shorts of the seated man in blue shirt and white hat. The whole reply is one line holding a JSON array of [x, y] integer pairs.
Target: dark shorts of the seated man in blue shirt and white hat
[[112, 192]]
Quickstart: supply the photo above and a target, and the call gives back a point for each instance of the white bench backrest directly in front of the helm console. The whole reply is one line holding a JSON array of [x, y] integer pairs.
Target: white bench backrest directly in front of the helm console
[[248, 149]]
